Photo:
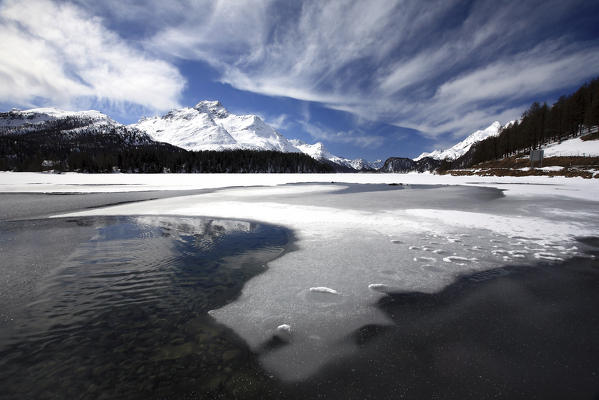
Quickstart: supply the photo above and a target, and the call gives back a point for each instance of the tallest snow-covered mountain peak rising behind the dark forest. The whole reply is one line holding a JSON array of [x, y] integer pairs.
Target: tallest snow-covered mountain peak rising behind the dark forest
[[209, 126]]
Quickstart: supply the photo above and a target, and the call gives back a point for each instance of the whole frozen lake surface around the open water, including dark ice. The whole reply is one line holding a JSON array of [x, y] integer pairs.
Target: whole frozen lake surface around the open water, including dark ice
[[369, 254]]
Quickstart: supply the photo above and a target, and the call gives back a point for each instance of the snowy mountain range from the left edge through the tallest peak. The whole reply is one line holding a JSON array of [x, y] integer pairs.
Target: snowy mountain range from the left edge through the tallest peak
[[207, 126]]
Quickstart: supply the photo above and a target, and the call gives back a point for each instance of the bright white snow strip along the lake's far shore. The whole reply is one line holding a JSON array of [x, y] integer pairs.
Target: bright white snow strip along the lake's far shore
[[529, 186]]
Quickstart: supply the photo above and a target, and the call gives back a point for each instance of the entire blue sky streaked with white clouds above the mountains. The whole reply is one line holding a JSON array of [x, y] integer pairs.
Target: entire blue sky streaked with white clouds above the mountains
[[371, 79]]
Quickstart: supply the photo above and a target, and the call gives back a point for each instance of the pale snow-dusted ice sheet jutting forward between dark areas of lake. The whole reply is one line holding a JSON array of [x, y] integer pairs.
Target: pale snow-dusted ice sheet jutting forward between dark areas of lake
[[362, 241]]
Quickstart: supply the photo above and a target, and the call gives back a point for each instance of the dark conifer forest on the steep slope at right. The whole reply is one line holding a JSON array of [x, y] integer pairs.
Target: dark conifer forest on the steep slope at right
[[540, 124]]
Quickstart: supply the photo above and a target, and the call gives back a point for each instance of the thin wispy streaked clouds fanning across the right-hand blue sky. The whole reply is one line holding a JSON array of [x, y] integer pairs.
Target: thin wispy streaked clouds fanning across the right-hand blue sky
[[438, 68]]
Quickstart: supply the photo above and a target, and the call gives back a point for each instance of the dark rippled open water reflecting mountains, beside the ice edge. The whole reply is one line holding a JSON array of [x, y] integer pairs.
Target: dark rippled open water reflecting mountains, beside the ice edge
[[124, 313]]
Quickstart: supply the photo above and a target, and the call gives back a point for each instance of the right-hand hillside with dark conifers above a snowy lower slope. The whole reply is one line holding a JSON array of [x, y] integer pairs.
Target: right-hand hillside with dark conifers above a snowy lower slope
[[566, 131]]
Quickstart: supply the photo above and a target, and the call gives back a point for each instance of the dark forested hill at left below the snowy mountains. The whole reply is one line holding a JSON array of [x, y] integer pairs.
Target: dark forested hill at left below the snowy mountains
[[79, 144]]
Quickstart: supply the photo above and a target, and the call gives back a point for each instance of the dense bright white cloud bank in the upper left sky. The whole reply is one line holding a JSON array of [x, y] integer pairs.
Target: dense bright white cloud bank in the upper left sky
[[62, 55]]
